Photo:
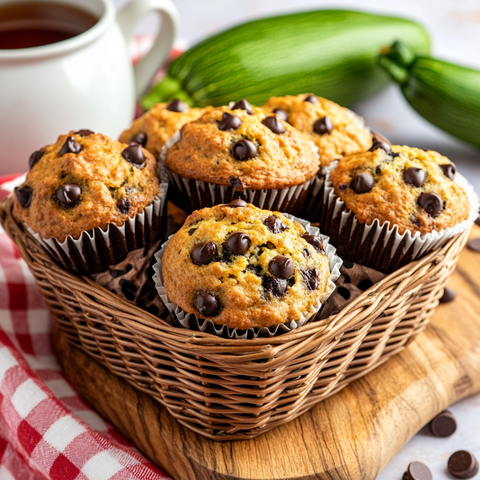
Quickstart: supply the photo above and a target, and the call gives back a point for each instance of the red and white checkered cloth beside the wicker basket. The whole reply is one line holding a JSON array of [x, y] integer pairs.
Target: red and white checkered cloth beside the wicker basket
[[46, 430]]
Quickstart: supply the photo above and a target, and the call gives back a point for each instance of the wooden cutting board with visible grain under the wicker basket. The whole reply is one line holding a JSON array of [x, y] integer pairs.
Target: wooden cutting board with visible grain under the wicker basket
[[350, 436]]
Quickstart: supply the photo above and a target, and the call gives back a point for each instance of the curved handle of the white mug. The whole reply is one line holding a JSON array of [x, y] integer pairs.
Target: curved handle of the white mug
[[148, 66]]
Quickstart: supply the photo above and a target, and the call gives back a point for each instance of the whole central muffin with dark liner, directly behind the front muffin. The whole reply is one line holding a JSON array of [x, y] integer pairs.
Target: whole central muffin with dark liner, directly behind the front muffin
[[243, 150]]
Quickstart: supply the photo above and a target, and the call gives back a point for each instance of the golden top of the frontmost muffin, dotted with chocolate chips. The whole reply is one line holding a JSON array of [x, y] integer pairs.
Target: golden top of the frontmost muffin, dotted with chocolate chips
[[244, 267]]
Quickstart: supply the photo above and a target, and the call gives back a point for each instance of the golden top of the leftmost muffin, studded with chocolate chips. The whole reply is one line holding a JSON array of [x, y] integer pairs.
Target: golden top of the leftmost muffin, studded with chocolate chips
[[85, 180]]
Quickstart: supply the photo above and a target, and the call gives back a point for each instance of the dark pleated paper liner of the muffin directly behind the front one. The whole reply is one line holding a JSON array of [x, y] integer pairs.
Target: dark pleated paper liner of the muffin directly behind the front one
[[190, 195]]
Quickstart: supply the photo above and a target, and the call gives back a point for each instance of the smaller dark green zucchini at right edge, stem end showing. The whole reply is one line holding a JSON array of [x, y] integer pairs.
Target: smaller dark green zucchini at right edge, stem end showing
[[443, 93]]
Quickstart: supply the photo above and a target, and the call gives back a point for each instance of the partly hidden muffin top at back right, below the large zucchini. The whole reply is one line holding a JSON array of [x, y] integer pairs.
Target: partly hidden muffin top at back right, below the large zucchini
[[335, 130]]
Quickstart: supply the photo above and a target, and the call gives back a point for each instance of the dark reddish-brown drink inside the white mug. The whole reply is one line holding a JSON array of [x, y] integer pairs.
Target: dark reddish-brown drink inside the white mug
[[33, 24]]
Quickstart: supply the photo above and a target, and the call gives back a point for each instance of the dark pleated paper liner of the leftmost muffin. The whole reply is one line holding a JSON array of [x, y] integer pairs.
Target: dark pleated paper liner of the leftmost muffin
[[95, 250]]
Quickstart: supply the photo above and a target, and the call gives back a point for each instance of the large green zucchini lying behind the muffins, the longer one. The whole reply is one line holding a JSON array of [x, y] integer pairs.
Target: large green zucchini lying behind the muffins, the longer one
[[332, 53]]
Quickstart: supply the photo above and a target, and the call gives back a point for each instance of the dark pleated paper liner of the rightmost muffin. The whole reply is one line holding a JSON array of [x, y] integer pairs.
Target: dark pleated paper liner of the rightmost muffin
[[381, 246]]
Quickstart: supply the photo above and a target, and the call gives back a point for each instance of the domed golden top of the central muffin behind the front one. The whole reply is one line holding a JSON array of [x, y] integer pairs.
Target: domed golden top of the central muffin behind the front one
[[245, 146]]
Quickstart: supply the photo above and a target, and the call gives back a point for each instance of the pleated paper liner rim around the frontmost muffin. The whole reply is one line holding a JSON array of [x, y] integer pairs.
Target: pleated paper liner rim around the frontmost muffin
[[192, 322]]
